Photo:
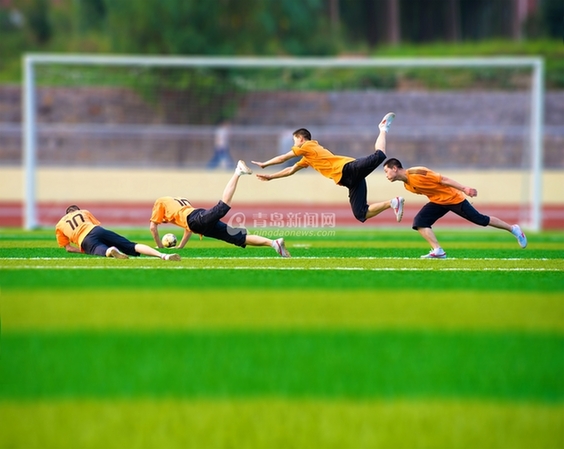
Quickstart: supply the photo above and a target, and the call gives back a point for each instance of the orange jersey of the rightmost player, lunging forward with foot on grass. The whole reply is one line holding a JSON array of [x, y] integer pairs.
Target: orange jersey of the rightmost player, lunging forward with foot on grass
[[422, 181]]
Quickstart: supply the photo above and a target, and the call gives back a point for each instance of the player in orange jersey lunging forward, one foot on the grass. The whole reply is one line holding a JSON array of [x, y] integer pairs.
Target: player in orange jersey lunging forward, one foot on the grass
[[444, 195]]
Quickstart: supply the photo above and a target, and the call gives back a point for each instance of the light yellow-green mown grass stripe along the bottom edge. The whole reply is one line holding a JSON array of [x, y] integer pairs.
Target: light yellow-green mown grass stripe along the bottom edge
[[275, 423]]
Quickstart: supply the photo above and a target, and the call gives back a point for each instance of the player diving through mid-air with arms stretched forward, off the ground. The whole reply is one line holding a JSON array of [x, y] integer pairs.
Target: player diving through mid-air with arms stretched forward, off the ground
[[343, 170]]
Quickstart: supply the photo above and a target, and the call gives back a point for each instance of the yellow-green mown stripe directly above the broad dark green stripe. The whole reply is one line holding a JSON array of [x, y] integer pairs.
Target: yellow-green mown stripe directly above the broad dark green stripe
[[183, 309]]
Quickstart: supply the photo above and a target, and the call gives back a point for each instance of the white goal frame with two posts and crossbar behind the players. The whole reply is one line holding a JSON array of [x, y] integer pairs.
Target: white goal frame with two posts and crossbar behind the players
[[29, 107]]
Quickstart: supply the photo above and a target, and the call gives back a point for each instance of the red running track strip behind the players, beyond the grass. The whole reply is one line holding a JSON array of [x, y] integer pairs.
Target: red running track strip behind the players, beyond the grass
[[270, 215]]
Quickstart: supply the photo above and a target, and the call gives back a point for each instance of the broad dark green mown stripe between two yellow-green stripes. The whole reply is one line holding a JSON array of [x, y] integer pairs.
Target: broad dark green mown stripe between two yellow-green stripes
[[346, 364]]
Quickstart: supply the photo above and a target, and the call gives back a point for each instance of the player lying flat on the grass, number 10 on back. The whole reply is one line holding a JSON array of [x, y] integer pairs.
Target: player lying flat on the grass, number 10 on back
[[79, 227]]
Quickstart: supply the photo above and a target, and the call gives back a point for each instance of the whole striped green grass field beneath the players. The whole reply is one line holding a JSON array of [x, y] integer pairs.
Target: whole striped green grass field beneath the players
[[354, 342]]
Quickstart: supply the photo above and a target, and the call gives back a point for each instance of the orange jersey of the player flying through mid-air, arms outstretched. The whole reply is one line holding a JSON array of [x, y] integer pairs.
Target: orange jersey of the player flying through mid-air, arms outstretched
[[321, 160]]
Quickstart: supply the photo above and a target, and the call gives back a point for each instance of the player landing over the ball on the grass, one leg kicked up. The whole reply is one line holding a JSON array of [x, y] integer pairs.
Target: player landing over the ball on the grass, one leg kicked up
[[207, 222]]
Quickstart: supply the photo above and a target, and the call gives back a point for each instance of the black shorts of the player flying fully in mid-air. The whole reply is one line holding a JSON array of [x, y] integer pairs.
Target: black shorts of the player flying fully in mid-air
[[354, 178]]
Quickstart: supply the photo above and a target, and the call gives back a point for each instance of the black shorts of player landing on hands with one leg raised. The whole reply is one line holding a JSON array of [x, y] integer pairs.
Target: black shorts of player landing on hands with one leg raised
[[207, 223]]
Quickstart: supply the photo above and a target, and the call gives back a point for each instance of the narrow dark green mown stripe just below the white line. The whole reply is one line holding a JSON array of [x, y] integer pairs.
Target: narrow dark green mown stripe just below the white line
[[277, 279]]
